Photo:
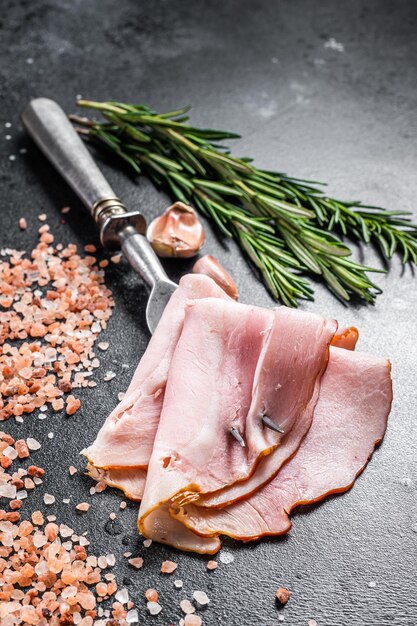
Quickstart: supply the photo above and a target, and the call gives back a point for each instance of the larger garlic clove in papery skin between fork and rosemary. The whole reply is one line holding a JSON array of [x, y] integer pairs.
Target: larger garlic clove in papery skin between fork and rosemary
[[176, 233]]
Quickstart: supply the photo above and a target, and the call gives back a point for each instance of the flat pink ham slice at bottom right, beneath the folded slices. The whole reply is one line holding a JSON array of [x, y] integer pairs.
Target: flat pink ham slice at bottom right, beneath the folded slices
[[349, 421]]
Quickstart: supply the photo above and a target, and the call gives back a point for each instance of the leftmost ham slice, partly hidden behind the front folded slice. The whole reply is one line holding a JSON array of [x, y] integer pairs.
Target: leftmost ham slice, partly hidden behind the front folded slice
[[127, 436]]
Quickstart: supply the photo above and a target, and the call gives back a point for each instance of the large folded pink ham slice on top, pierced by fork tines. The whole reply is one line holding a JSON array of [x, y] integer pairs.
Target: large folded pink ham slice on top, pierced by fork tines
[[242, 362]]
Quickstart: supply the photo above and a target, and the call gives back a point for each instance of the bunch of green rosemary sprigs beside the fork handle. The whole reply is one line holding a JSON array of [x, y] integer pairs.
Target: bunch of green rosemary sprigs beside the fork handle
[[287, 227]]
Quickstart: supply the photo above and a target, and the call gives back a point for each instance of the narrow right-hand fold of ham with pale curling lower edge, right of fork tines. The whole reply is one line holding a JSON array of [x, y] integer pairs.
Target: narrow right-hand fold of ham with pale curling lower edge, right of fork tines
[[295, 358]]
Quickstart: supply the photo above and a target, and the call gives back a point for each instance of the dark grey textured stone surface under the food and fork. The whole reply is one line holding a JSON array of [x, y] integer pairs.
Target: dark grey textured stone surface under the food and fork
[[344, 115]]
